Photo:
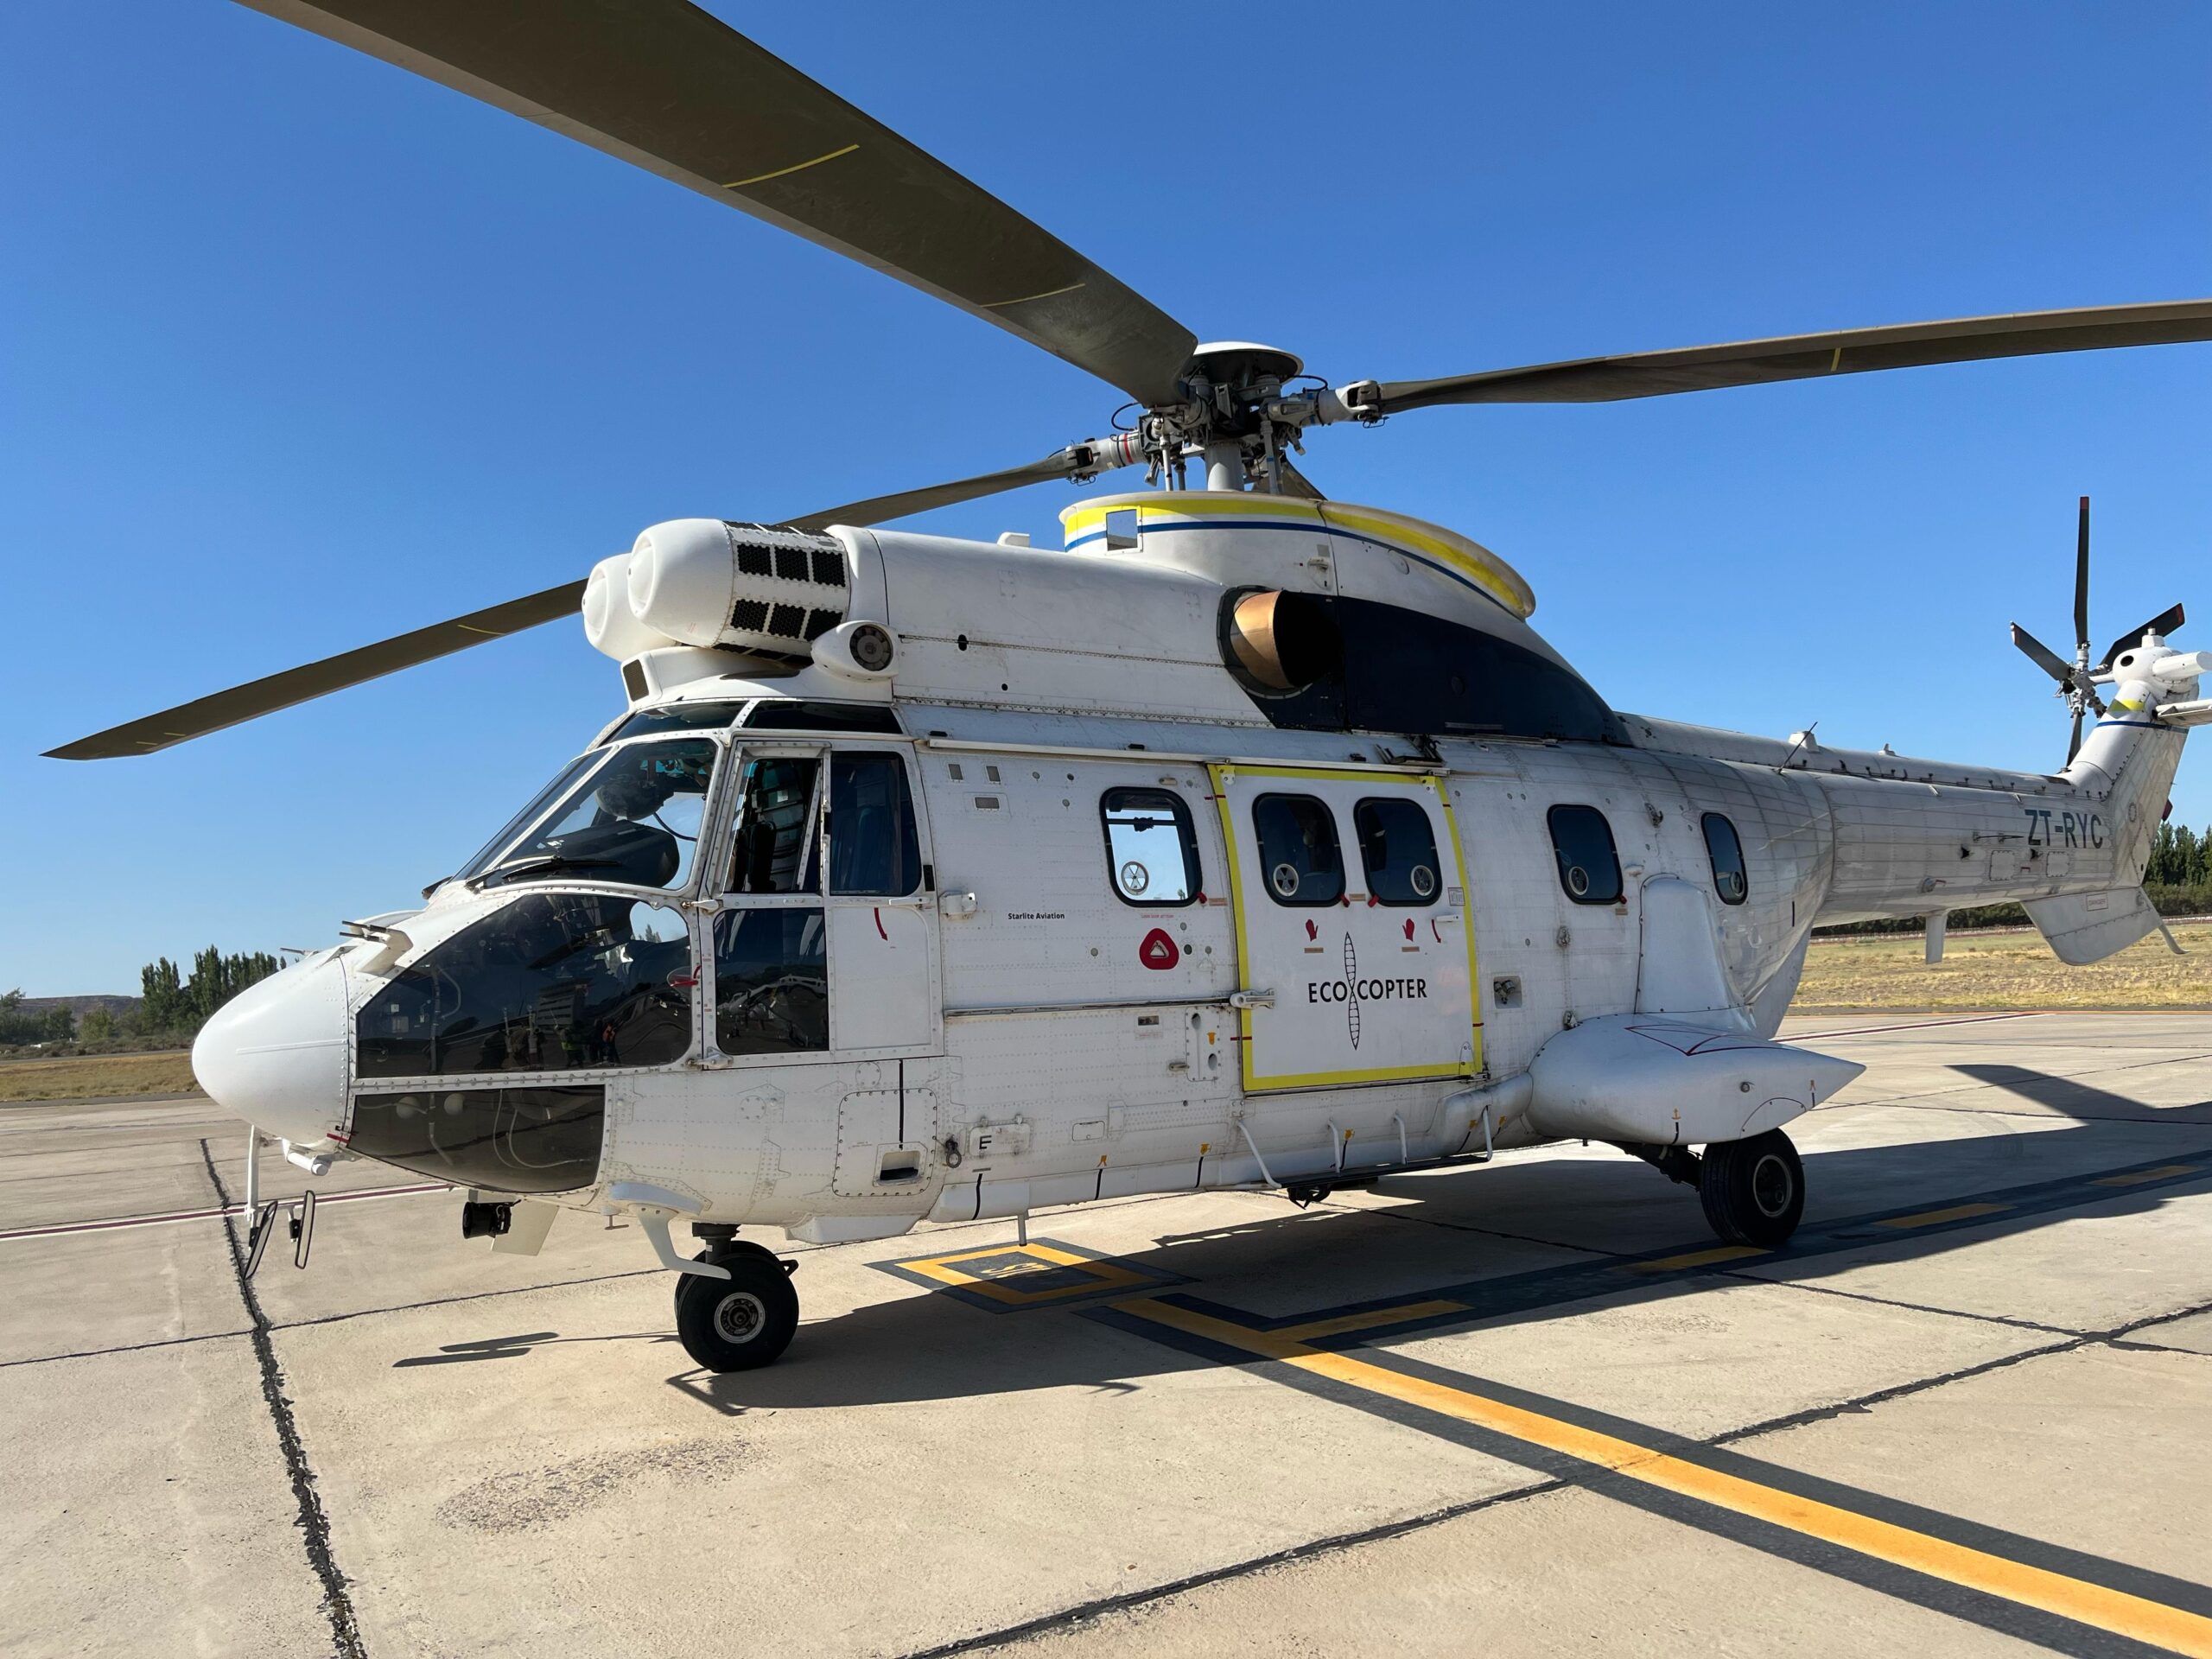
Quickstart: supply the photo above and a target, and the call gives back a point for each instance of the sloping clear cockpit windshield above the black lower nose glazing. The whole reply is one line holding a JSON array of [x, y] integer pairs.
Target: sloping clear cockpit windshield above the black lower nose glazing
[[629, 815]]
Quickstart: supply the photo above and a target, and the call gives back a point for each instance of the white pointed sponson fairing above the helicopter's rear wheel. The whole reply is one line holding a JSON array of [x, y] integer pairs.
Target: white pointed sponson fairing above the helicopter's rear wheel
[[1671, 1083]]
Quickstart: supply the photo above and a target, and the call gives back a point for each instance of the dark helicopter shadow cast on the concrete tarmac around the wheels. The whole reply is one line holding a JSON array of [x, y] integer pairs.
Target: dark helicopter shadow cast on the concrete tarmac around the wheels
[[1514, 1242]]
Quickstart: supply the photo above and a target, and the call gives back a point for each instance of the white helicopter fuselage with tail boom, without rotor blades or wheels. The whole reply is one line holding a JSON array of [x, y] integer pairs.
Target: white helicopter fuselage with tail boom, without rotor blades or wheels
[[1043, 895]]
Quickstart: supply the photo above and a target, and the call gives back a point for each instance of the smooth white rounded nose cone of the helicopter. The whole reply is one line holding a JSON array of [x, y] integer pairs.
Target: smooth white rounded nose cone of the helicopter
[[275, 1054]]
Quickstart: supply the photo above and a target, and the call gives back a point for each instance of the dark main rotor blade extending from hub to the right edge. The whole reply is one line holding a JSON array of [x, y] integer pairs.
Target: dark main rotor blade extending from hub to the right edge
[[1802, 357]]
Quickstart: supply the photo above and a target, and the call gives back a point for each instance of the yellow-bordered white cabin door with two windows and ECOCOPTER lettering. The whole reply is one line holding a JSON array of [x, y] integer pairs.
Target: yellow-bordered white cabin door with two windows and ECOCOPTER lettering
[[1353, 926]]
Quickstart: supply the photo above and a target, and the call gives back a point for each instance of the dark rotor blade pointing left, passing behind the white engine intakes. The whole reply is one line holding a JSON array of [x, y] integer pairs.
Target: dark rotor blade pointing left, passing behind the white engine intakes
[[441, 640]]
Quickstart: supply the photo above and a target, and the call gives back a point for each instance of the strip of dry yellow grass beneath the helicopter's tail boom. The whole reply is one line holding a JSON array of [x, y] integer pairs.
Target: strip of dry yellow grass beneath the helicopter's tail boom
[[2003, 972]]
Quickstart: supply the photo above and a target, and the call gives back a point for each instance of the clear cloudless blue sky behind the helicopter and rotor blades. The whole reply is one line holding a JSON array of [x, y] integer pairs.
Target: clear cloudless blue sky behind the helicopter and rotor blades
[[300, 351]]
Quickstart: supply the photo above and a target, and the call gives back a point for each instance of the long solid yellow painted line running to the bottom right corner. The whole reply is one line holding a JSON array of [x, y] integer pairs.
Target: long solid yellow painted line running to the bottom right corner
[[2094, 1605]]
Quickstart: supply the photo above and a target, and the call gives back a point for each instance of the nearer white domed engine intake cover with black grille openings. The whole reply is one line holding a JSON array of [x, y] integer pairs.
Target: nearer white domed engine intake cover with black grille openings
[[751, 587]]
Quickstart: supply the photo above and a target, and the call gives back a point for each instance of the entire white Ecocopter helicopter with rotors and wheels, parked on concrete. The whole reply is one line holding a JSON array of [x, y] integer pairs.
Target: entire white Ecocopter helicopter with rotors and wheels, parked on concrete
[[1249, 839]]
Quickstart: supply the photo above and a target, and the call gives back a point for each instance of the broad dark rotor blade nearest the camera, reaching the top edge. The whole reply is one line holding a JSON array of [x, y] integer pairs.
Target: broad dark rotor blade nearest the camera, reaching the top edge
[[678, 92]]
